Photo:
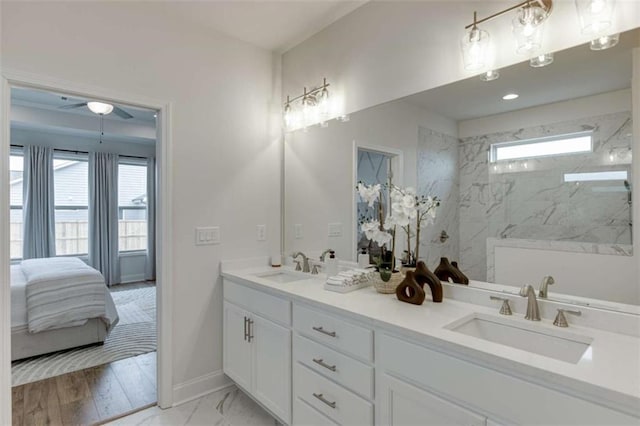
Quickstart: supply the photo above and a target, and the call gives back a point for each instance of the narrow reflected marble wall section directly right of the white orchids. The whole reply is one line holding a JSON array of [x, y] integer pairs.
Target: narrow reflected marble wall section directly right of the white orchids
[[438, 175]]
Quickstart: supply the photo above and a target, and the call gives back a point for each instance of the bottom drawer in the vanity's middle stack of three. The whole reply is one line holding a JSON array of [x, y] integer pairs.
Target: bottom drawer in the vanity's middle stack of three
[[334, 401]]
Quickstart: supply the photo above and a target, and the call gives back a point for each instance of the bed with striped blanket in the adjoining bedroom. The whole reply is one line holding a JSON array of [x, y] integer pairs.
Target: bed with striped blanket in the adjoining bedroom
[[64, 326]]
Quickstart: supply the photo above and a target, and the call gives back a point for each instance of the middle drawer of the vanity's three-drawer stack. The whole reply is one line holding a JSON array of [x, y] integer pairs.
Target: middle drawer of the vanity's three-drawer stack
[[343, 369]]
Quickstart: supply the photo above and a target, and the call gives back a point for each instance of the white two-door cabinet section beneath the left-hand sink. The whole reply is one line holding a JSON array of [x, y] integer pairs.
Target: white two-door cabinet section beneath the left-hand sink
[[257, 346]]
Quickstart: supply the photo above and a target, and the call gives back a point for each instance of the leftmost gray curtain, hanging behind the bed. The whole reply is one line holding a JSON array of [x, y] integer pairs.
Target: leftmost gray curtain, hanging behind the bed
[[39, 234]]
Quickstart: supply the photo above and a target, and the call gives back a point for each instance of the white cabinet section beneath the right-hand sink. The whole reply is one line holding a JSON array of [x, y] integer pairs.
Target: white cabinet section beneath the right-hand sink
[[419, 385]]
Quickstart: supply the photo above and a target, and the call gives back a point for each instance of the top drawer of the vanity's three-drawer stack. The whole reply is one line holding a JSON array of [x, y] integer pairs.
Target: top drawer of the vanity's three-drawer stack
[[334, 331]]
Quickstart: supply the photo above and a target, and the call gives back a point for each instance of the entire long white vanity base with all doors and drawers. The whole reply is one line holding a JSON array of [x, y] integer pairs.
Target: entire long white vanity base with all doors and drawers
[[311, 363]]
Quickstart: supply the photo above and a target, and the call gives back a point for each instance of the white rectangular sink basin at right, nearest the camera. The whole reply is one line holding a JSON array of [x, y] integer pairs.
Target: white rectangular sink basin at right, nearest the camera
[[560, 344]]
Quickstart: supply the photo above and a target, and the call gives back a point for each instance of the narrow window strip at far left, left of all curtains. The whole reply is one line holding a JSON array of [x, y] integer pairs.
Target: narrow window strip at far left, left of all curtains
[[16, 167]]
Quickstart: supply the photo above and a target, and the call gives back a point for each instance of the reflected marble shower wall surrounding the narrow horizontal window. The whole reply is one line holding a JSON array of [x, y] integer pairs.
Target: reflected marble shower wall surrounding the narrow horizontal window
[[529, 198]]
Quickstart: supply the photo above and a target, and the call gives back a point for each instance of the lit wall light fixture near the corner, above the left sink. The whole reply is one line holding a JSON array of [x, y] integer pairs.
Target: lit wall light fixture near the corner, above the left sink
[[310, 108]]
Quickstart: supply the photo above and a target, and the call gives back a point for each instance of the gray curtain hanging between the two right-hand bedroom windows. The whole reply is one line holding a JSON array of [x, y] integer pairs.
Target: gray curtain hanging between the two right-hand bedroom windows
[[103, 215]]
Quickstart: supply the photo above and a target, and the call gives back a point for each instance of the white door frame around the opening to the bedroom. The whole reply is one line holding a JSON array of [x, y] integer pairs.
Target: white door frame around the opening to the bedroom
[[13, 78]]
